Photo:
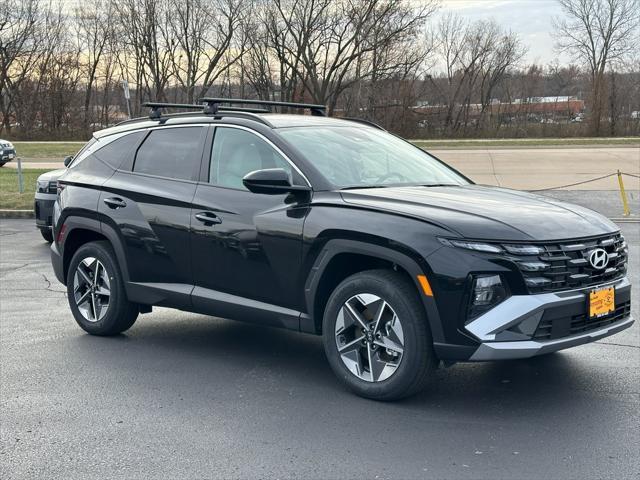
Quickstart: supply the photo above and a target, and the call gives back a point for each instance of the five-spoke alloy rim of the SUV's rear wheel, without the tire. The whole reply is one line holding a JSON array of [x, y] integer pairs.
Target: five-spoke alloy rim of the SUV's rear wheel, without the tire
[[91, 289]]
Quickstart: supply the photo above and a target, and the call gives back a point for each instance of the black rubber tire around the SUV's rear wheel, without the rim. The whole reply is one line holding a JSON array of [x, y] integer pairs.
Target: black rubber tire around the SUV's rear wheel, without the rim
[[108, 323]]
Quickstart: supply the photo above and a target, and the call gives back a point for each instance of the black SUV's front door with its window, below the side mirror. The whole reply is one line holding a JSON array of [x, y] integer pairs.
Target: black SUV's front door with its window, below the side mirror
[[245, 244]]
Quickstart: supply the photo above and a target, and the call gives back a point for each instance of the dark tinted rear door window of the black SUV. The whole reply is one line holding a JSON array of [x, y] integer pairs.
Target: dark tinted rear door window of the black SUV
[[171, 152]]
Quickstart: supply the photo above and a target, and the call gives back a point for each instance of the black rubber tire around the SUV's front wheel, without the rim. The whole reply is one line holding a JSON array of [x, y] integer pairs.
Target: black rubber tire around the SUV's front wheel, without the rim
[[417, 347]]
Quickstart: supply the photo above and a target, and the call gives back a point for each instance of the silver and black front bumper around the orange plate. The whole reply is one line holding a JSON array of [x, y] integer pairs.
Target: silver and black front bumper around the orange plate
[[527, 325]]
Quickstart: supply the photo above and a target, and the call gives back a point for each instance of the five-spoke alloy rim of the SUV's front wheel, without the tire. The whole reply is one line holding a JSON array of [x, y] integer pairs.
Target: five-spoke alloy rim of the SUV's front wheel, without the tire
[[369, 337]]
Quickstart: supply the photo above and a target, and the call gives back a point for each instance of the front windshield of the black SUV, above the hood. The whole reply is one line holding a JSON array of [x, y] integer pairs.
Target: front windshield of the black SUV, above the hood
[[356, 157]]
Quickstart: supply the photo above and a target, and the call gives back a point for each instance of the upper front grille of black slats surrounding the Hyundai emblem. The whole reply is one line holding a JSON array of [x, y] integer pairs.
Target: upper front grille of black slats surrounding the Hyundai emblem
[[565, 265]]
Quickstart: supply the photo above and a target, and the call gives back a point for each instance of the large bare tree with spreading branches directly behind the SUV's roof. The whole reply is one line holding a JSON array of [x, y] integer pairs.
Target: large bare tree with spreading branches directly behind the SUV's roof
[[326, 39]]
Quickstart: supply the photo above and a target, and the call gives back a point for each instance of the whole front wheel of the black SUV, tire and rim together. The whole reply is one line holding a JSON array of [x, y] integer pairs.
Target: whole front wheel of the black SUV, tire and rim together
[[406, 370]]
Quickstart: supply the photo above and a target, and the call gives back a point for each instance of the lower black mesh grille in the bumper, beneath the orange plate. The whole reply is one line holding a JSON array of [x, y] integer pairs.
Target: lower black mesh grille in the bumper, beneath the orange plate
[[553, 328]]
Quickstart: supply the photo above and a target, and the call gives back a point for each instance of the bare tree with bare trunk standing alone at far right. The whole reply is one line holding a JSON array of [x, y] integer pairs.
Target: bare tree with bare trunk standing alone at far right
[[598, 33]]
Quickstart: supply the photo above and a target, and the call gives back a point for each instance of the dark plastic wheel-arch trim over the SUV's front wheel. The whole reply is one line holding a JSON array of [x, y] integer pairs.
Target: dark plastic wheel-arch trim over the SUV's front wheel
[[338, 246]]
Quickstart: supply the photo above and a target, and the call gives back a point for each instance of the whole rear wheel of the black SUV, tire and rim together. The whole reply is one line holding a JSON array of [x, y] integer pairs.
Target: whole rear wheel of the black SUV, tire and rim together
[[90, 312]]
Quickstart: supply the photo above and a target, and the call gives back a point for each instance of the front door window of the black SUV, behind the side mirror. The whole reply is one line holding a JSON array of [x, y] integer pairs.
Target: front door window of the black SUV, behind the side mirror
[[237, 152]]
